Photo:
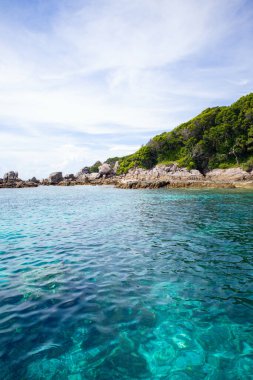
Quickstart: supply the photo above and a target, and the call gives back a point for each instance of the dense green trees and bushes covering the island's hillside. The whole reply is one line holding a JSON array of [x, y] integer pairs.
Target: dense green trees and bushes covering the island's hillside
[[218, 137]]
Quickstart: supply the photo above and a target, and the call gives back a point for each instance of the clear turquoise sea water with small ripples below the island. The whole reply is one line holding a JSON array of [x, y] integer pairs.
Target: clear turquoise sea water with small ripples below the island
[[102, 283]]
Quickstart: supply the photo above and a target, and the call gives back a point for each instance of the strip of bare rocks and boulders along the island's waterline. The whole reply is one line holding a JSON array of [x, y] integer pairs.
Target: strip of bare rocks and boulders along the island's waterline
[[167, 176]]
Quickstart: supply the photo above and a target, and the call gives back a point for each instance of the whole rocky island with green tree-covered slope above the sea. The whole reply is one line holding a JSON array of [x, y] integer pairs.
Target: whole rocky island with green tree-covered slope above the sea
[[214, 149]]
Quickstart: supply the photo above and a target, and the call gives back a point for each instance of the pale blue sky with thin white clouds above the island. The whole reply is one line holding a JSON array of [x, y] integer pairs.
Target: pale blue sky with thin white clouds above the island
[[84, 80]]
